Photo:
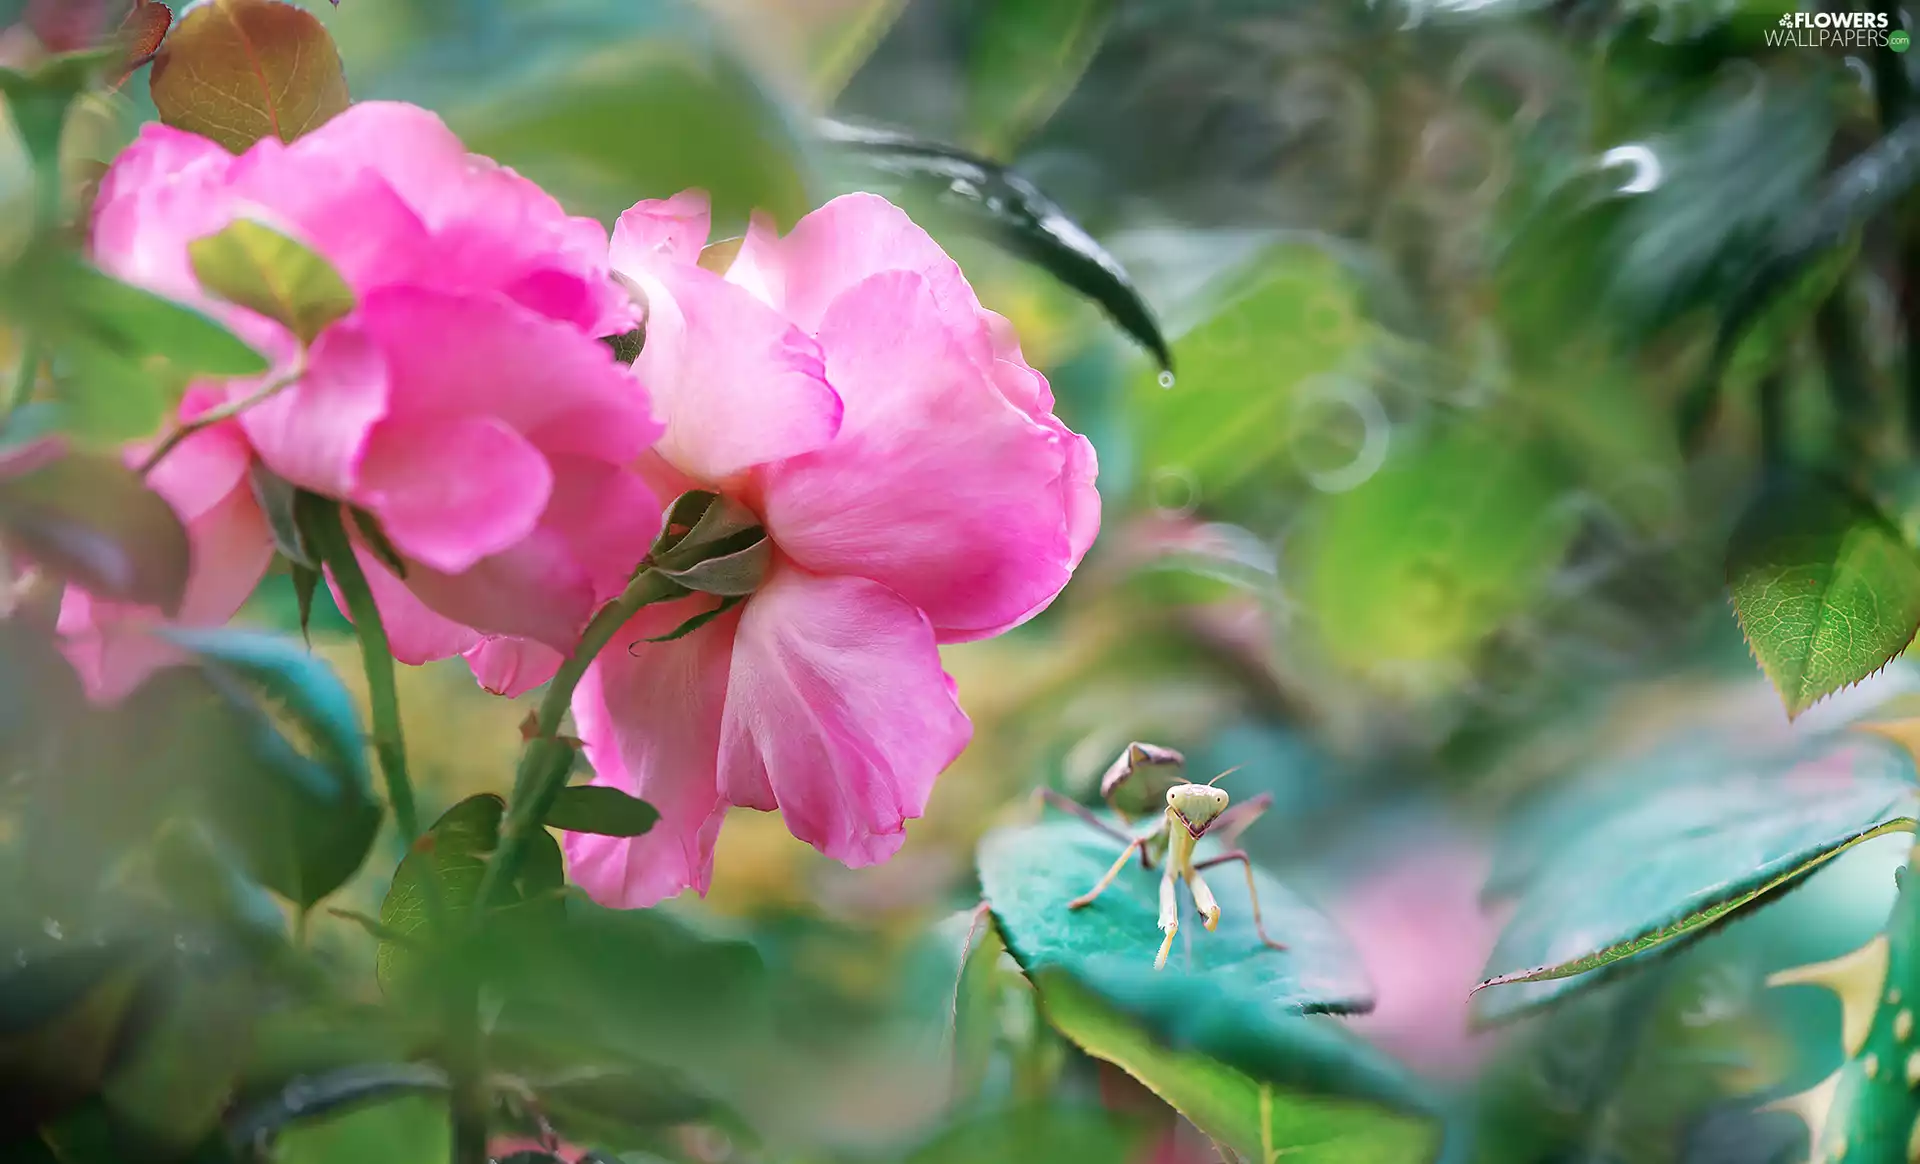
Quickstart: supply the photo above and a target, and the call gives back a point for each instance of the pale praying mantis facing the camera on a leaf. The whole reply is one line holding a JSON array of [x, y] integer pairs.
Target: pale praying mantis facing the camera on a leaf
[[1149, 779]]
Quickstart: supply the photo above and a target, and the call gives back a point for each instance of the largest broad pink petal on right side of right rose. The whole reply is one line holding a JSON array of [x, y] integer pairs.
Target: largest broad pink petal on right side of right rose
[[938, 487]]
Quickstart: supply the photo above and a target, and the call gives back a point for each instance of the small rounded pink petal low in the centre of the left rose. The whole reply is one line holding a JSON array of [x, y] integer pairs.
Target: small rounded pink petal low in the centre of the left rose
[[456, 491]]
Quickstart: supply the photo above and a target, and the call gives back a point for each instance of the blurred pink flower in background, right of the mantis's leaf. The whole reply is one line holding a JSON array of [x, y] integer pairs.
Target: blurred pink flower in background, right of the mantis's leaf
[[1426, 940]]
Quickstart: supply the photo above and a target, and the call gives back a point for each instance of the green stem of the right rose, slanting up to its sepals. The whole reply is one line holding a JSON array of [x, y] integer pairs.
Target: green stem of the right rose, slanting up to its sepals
[[548, 762]]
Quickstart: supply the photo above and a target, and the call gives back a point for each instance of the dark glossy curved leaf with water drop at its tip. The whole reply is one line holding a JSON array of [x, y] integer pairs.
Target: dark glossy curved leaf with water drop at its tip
[[1013, 212]]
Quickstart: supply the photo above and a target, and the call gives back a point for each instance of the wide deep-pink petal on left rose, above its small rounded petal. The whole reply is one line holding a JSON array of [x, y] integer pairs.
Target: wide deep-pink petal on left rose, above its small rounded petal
[[462, 356]]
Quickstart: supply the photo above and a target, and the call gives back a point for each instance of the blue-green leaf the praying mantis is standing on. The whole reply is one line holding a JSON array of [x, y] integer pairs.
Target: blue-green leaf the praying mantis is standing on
[[1030, 875]]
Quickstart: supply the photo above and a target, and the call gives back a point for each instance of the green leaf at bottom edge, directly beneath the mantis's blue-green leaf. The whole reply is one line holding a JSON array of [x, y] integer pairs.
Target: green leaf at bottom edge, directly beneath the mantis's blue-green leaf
[[1297, 1090]]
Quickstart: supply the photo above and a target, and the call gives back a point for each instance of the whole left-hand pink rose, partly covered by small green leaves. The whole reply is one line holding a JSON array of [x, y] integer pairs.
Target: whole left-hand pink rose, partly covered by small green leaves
[[466, 400]]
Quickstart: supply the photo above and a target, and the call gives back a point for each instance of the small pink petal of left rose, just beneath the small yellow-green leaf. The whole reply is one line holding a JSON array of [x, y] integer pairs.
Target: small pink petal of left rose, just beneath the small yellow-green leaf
[[316, 433]]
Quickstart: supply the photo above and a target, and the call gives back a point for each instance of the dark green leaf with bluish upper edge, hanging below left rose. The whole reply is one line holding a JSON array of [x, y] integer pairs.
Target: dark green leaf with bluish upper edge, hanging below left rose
[[300, 810]]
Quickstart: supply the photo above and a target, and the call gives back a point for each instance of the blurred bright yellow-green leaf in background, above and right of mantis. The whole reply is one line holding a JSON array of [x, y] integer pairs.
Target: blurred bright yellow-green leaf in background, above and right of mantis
[[1435, 550]]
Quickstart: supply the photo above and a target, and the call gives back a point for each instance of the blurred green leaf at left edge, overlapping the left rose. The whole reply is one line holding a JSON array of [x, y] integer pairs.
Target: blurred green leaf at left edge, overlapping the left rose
[[78, 306]]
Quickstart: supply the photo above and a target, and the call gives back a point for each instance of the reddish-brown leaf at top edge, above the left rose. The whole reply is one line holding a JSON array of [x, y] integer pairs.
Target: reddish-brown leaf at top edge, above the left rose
[[245, 70]]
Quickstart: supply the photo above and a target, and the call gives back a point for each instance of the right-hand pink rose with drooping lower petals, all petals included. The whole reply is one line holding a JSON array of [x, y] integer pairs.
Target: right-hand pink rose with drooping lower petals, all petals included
[[846, 385]]
